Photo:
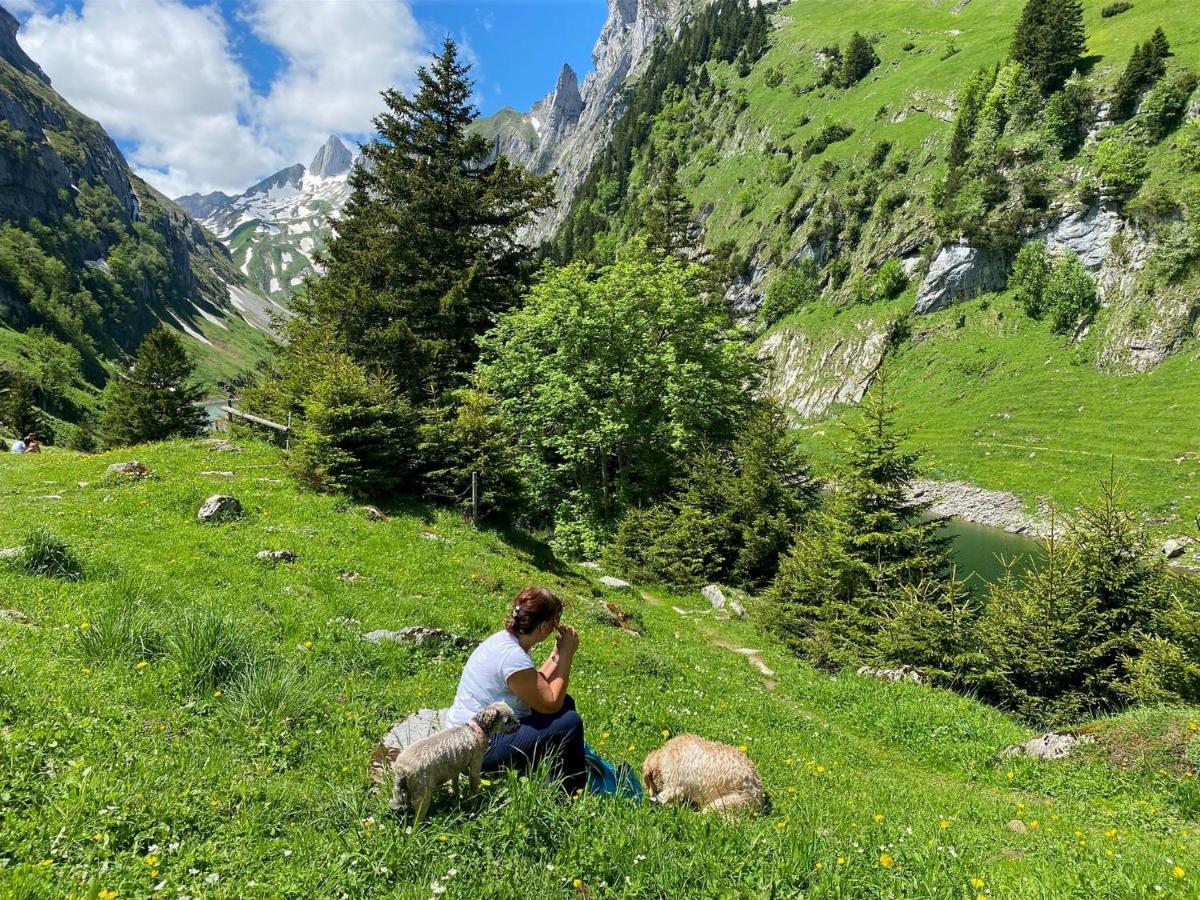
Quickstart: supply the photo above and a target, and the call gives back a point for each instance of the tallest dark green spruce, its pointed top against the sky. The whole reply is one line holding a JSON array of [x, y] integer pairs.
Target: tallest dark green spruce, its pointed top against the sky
[[428, 251]]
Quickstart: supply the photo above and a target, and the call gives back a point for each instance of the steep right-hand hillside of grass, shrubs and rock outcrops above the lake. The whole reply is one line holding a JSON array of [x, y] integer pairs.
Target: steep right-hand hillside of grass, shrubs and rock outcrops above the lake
[[782, 164]]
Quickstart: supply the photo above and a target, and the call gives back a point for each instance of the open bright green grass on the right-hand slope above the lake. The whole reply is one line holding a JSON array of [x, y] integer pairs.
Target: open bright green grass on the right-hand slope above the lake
[[967, 393]]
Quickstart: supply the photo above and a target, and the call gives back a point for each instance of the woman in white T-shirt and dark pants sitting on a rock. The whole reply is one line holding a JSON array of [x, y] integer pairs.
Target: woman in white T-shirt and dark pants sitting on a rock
[[502, 670]]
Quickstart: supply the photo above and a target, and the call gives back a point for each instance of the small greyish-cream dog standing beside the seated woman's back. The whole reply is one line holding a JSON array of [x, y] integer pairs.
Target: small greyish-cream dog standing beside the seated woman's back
[[447, 755]]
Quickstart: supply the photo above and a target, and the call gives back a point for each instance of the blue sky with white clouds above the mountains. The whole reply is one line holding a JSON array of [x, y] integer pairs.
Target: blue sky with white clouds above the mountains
[[218, 94]]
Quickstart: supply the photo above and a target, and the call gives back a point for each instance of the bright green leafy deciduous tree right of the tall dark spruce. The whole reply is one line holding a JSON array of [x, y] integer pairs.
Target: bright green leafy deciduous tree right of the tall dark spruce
[[609, 379]]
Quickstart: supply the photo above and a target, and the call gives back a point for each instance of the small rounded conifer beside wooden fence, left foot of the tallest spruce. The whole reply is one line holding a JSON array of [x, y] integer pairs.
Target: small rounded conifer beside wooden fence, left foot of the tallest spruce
[[357, 433]]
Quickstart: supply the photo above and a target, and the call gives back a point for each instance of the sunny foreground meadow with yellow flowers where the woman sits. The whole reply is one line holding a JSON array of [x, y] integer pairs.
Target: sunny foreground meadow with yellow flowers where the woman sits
[[116, 776]]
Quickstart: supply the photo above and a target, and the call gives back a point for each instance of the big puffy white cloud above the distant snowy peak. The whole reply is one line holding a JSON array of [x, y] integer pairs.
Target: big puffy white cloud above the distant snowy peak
[[164, 79]]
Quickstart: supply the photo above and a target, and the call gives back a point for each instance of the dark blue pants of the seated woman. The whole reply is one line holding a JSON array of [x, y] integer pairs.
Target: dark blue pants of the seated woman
[[557, 737]]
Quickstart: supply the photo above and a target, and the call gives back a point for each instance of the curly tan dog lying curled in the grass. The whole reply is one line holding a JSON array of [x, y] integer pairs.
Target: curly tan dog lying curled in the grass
[[704, 773]]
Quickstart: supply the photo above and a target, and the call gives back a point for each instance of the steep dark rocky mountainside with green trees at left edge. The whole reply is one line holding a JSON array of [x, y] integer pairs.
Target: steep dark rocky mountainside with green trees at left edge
[[93, 259]]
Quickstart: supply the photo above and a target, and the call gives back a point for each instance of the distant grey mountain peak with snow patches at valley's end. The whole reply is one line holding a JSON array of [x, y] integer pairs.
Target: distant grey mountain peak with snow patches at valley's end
[[274, 230]]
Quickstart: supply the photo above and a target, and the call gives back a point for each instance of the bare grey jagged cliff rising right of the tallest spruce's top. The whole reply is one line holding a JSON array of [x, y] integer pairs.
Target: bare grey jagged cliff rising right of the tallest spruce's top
[[566, 130]]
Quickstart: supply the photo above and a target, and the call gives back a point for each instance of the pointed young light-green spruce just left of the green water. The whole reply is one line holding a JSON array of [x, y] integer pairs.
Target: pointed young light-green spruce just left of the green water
[[869, 544]]
